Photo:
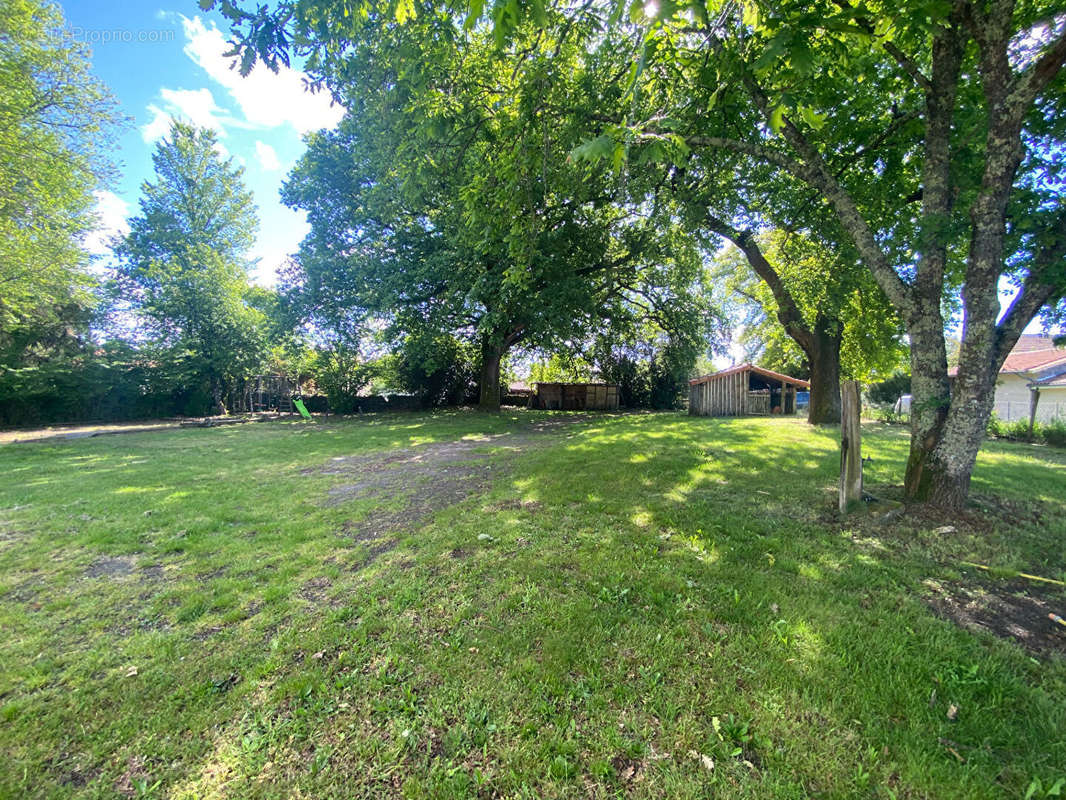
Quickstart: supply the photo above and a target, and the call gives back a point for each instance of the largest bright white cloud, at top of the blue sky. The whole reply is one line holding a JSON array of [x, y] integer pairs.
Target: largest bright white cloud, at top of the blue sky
[[267, 100]]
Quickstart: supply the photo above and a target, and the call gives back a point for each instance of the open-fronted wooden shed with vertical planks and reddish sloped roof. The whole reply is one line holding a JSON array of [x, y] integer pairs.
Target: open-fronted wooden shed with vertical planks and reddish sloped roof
[[742, 391]]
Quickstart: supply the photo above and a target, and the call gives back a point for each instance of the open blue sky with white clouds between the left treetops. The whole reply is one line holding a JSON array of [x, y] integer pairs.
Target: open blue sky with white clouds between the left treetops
[[164, 62]]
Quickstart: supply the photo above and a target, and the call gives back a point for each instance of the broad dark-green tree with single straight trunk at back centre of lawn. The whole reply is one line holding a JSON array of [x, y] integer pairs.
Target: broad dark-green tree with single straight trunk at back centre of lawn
[[445, 200]]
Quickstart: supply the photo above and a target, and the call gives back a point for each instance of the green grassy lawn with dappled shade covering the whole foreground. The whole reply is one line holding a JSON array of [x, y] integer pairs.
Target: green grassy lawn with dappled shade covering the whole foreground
[[460, 605]]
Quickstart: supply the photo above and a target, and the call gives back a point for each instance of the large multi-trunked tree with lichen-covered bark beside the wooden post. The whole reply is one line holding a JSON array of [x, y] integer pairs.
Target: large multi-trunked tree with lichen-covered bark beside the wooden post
[[933, 133]]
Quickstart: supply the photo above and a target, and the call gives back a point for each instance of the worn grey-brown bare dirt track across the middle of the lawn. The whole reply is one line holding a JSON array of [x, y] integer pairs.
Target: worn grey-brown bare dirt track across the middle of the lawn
[[429, 478]]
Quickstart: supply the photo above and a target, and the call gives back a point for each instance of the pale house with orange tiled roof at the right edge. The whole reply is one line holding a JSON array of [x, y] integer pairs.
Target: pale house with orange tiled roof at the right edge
[[1036, 371]]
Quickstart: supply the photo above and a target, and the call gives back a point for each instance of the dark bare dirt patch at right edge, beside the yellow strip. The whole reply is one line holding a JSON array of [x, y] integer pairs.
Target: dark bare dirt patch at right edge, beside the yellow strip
[[1009, 610]]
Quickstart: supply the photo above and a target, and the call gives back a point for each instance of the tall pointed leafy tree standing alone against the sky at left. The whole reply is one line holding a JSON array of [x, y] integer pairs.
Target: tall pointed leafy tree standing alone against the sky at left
[[183, 265]]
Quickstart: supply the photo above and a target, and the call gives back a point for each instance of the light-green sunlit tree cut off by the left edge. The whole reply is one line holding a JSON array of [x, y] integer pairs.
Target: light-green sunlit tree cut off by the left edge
[[57, 126]]
